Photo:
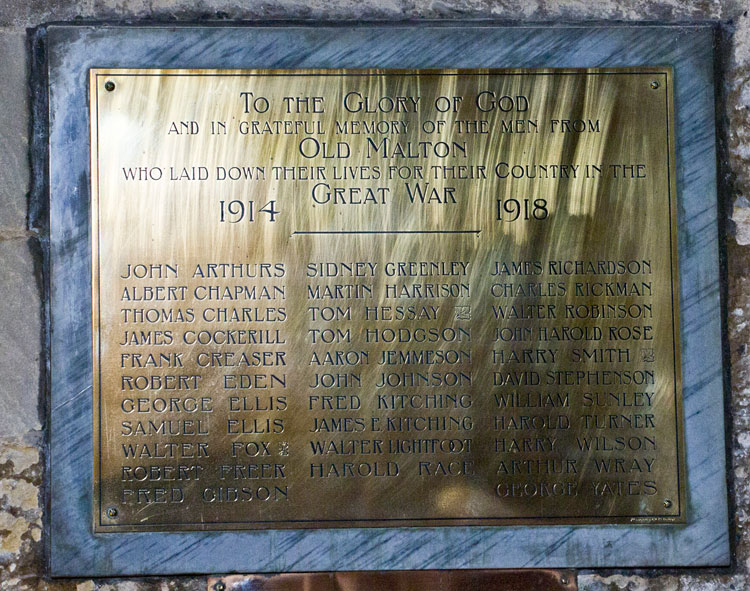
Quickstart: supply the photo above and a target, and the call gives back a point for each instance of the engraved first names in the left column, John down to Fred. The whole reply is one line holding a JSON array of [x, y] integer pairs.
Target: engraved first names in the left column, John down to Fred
[[165, 410]]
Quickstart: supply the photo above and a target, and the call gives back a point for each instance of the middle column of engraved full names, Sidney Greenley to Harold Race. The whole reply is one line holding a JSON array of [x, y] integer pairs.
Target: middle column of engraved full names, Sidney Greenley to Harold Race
[[389, 391]]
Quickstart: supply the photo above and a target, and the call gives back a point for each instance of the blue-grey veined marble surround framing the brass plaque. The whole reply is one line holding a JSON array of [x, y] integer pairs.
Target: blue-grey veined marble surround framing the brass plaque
[[76, 551]]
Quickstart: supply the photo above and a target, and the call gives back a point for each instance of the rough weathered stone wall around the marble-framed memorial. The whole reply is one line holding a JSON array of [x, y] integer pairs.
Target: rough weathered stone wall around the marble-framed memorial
[[22, 371]]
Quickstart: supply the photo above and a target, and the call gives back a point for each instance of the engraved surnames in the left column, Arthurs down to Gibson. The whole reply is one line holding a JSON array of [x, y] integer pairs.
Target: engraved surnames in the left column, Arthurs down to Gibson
[[252, 360]]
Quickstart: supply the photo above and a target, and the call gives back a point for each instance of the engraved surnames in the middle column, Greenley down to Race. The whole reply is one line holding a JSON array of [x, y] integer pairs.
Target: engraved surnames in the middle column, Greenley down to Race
[[422, 399]]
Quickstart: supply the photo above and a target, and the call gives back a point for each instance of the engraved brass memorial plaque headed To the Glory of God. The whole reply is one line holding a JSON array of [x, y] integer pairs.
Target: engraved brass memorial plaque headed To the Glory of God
[[334, 298]]
